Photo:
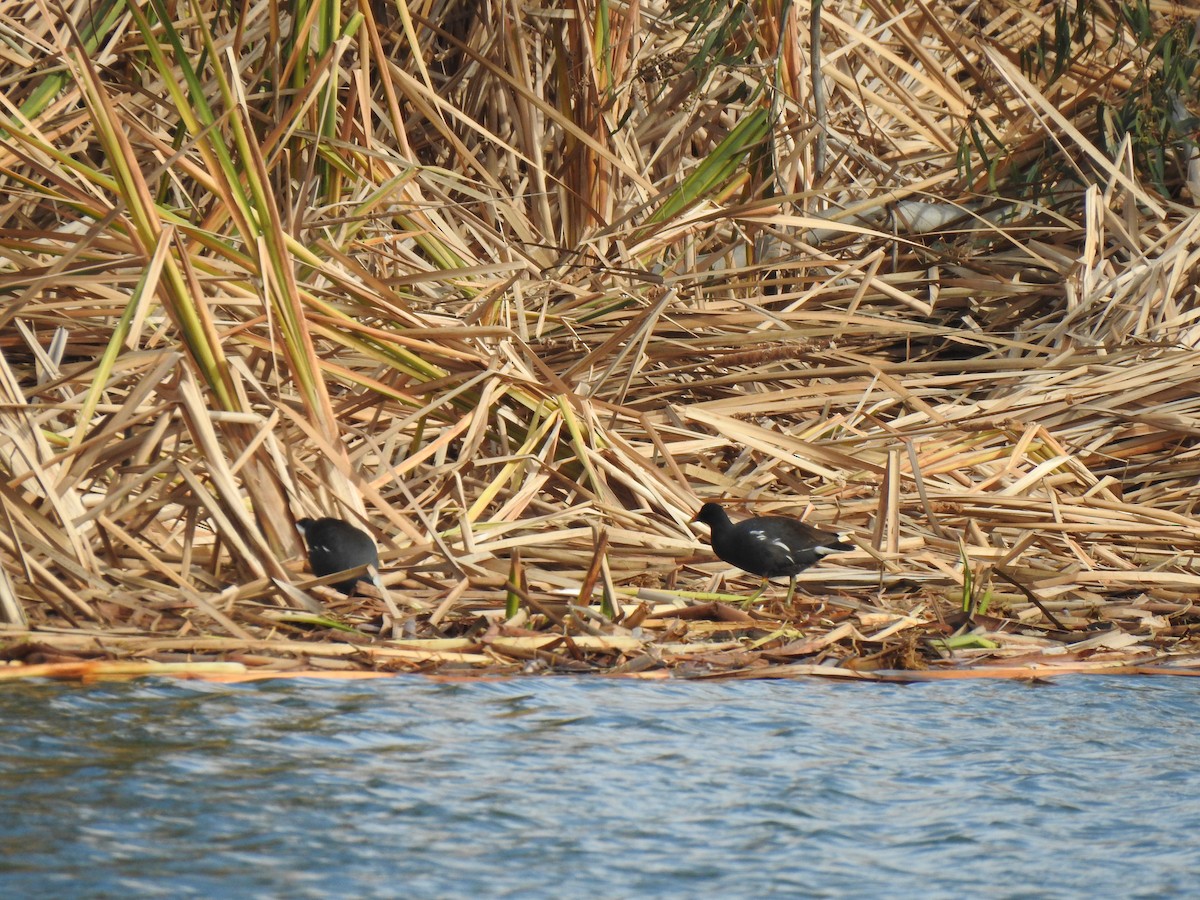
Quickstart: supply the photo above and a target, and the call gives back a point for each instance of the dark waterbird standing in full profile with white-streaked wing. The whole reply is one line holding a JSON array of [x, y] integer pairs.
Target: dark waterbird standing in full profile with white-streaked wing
[[769, 547]]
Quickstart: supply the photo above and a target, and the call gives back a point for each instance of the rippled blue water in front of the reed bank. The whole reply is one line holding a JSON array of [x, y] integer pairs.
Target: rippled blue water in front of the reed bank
[[587, 788]]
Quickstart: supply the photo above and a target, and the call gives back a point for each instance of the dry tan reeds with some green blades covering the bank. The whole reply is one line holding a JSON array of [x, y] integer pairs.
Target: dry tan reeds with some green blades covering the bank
[[517, 289]]
